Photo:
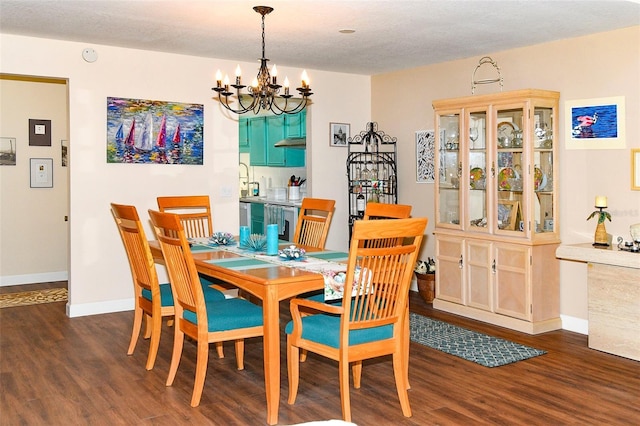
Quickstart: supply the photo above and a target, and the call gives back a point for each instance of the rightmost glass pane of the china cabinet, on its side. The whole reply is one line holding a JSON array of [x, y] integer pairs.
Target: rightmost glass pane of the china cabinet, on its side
[[543, 211]]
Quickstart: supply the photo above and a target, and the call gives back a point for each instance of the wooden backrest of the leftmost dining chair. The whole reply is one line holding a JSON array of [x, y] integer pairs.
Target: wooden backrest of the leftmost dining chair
[[136, 246]]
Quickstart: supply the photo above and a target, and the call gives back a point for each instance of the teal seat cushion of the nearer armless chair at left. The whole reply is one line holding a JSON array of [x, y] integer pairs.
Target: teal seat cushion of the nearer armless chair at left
[[229, 314]]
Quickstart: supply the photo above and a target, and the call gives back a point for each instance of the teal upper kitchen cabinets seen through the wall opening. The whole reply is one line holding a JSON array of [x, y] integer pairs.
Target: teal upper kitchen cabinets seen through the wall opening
[[263, 133]]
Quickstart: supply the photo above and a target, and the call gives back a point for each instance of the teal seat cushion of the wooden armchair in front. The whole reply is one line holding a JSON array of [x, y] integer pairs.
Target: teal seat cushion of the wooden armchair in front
[[325, 329]]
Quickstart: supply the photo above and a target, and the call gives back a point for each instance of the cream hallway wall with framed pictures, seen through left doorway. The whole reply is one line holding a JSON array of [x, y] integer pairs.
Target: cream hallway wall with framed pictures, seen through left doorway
[[33, 232]]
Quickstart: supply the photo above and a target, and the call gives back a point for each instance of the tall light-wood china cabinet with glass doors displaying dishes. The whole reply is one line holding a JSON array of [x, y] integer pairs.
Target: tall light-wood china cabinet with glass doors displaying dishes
[[496, 208]]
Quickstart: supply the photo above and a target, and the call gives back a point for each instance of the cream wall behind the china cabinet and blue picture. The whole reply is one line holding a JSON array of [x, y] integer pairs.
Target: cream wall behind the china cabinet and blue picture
[[595, 66]]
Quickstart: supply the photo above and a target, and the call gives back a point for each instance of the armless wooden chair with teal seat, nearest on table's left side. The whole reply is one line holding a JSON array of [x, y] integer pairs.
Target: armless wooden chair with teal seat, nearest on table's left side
[[205, 322]]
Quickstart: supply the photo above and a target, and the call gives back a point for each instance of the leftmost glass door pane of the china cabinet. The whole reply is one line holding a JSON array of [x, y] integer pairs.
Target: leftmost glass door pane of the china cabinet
[[450, 169]]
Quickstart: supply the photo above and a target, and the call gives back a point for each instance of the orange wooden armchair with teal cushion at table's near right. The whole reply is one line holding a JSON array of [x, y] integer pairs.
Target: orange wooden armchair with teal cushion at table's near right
[[369, 322]]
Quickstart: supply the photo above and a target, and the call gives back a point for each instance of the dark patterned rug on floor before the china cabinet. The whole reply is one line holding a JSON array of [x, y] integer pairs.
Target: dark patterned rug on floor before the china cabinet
[[470, 345]]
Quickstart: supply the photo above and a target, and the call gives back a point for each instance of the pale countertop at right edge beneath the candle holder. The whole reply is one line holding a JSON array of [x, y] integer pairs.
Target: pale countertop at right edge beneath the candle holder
[[586, 252]]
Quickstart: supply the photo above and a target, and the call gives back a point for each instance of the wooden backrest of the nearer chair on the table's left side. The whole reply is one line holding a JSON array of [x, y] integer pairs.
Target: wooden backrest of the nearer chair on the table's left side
[[183, 275]]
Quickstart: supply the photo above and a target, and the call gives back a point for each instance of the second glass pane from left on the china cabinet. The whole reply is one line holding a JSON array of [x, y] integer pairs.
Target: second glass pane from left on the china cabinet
[[477, 171]]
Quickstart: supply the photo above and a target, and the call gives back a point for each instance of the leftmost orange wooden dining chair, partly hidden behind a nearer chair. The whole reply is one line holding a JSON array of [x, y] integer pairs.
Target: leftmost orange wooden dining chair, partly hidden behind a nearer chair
[[152, 299]]
